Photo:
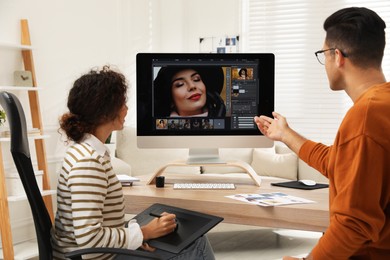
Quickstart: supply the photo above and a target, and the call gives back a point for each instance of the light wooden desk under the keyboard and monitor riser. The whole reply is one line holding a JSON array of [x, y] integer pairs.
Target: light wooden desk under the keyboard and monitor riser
[[311, 217]]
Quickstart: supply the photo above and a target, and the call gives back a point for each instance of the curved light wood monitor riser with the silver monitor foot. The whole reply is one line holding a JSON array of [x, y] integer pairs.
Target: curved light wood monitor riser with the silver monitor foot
[[209, 157]]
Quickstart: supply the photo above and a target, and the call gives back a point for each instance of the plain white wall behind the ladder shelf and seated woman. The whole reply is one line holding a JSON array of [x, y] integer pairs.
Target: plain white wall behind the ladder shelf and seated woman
[[71, 36]]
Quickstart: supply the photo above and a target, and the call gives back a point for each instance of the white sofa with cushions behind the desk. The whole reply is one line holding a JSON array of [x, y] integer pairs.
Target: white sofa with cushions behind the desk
[[278, 161]]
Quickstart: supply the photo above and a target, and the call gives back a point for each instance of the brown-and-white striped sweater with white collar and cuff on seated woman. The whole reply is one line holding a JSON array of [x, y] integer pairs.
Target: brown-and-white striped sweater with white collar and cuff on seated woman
[[90, 208]]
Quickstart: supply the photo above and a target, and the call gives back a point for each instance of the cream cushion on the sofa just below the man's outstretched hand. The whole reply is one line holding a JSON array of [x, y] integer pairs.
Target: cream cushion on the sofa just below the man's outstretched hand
[[276, 165]]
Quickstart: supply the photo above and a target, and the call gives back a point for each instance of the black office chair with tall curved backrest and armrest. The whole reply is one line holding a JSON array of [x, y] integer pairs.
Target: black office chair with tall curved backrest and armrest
[[21, 155]]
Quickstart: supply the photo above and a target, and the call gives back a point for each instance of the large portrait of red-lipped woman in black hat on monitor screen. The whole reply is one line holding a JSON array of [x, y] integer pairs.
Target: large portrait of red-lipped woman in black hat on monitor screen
[[181, 91]]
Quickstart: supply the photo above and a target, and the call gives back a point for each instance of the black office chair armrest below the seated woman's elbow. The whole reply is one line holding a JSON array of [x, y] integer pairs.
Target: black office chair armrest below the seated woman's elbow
[[76, 255]]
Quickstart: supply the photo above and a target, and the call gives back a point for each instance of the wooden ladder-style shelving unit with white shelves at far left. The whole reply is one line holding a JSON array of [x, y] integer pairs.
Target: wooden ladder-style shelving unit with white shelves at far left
[[26, 249]]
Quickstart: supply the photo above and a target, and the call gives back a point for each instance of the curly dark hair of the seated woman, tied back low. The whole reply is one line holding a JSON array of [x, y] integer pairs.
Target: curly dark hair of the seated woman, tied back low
[[94, 99]]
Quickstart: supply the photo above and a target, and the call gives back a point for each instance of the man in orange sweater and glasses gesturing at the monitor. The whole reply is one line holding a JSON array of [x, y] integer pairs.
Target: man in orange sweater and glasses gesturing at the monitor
[[358, 163]]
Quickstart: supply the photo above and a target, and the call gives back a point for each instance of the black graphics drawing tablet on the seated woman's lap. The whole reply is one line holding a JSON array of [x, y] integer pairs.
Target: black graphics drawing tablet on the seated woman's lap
[[191, 225]]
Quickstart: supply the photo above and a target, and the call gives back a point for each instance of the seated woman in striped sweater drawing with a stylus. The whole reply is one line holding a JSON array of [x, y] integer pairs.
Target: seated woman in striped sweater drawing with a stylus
[[90, 201]]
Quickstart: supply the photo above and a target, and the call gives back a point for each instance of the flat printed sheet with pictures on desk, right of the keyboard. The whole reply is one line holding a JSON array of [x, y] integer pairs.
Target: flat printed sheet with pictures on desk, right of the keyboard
[[269, 199]]
